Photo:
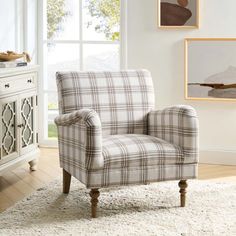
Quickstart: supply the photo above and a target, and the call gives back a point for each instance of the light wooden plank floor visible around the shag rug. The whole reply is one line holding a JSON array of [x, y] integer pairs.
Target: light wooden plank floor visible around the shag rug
[[19, 183]]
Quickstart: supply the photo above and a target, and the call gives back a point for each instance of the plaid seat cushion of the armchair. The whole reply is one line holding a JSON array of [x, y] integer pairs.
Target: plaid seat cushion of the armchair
[[135, 150]]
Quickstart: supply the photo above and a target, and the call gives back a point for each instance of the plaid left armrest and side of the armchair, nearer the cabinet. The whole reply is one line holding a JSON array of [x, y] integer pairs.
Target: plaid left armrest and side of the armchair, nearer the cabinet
[[80, 140]]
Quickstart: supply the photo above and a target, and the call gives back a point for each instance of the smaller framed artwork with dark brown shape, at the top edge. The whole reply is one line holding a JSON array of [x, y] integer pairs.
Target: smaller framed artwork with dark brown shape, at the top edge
[[178, 14]]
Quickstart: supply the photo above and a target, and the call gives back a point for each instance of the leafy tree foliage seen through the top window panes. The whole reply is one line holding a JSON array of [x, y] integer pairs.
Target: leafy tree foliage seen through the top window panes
[[106, 12]]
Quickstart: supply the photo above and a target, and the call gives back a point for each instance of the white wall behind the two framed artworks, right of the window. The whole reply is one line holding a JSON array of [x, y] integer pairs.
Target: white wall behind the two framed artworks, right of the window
[[162, 52]]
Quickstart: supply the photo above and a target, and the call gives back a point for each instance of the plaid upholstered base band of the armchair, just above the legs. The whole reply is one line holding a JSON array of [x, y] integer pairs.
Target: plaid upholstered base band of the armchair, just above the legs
[[129, 176]]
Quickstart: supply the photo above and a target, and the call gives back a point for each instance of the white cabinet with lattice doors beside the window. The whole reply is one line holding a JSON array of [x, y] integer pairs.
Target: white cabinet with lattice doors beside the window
[[18, 115]]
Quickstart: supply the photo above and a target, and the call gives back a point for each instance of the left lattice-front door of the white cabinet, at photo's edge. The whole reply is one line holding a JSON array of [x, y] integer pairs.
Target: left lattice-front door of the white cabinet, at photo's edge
[[8, 123]]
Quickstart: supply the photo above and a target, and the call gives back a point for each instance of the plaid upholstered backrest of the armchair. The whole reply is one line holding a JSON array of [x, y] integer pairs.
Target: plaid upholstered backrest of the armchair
[[121, 99]]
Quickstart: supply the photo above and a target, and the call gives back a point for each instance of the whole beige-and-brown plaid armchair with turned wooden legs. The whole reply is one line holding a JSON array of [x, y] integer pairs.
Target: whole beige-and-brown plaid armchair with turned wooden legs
[[110, 134]]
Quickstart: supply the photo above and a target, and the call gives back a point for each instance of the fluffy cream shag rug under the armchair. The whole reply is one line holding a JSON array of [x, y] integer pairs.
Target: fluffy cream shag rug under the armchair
[[138, 210]]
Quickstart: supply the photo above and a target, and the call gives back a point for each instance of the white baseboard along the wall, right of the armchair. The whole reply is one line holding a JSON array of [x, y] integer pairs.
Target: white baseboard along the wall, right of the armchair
[[220, 157]]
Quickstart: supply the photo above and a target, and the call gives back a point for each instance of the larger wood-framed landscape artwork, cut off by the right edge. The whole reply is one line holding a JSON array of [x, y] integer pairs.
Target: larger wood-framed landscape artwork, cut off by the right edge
[[210, 69]]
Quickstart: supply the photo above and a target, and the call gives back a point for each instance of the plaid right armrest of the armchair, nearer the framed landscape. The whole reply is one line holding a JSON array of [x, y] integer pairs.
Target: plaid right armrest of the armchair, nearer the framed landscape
[[177, 125]]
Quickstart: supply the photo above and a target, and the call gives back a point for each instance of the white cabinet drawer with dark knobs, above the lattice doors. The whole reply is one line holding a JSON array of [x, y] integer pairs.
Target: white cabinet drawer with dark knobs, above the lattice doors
[[15, 84]]
